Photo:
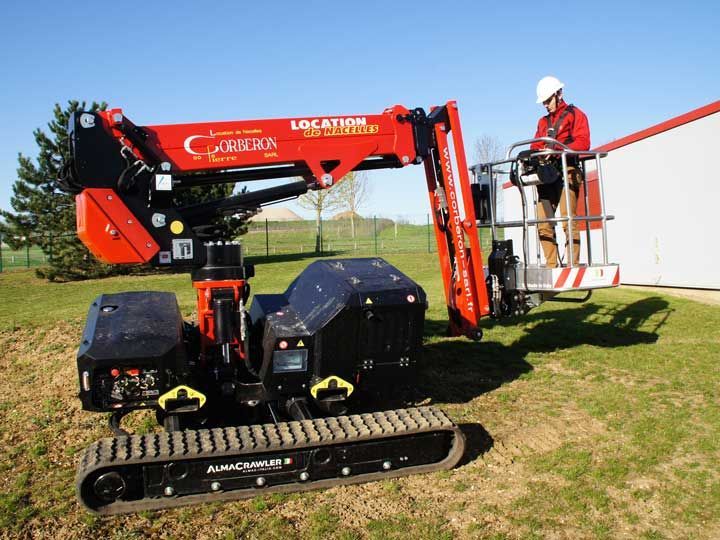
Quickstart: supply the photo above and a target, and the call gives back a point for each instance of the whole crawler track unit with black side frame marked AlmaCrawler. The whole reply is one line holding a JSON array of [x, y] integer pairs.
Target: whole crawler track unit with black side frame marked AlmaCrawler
[[165, 470]]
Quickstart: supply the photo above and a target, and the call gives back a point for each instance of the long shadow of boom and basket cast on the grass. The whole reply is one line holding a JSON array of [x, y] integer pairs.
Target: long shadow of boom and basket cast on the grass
[[458, 370]]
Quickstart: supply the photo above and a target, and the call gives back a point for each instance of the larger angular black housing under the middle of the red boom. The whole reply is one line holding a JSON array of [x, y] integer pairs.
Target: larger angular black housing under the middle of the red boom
[[359, 319]]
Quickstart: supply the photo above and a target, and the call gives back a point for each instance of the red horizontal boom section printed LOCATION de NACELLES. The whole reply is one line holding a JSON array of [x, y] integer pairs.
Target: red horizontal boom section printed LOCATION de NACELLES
[[347, 140]]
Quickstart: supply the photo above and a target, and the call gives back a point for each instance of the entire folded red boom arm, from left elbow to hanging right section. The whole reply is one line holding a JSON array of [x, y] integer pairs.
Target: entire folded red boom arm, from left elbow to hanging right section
[[125, 175]]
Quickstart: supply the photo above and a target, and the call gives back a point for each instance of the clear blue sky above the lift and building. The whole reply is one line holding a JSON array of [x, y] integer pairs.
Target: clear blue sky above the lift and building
[[627, 64]]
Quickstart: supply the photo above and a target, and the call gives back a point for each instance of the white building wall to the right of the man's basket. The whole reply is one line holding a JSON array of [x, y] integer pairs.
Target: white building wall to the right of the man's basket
[[664, 191]]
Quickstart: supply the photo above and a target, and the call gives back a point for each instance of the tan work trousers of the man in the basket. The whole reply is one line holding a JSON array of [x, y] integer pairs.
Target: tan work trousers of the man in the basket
[[550, 196]]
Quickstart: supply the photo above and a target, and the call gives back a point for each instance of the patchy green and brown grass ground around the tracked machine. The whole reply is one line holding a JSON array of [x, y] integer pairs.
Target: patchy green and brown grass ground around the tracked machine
[[599, 420]]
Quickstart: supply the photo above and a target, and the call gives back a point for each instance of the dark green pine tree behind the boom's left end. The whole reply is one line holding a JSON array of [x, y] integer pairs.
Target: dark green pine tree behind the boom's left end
[[44, 215]]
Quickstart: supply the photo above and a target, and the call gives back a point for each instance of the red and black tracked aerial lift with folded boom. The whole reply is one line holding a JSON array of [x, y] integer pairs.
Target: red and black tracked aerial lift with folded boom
[[276, 396]]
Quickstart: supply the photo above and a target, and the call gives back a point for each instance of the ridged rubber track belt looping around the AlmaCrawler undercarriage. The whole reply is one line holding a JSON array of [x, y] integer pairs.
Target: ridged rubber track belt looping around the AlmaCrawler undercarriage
[[179, 446]]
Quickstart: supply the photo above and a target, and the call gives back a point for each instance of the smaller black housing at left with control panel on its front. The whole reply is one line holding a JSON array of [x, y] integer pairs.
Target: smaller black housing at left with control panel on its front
[[132, 350]]
